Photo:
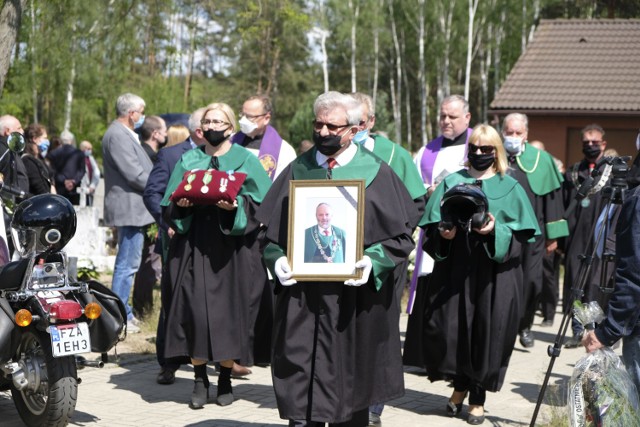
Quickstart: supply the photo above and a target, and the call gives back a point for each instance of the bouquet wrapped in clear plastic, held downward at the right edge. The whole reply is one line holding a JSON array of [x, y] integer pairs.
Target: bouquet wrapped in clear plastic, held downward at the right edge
[[601, 392]]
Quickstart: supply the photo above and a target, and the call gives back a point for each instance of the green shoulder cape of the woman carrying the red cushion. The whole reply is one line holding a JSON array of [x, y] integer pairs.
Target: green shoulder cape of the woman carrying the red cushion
[[237, 159]]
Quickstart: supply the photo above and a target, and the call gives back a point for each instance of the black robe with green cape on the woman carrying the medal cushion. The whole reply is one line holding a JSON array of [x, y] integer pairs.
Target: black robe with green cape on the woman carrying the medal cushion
[[213, 264]]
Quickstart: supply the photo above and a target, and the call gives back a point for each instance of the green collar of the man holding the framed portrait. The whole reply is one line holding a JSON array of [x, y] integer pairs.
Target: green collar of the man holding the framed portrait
[[364, 165]]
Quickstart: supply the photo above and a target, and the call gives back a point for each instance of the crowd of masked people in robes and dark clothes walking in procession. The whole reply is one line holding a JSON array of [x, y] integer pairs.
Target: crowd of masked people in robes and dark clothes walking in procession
[[219, 194]]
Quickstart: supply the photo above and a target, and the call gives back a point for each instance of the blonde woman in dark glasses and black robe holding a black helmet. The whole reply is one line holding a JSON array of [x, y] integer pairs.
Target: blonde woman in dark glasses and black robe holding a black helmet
[[475, 290]]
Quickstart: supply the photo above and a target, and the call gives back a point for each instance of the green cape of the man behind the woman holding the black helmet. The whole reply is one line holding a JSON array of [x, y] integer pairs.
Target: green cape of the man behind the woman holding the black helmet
[[541, 170]]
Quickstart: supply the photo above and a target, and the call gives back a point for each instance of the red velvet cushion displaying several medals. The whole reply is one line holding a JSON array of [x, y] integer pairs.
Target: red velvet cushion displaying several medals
[[217, 185]]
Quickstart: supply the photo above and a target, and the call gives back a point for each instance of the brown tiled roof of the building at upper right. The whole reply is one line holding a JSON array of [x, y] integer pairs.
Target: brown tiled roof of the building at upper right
[[577, 65]]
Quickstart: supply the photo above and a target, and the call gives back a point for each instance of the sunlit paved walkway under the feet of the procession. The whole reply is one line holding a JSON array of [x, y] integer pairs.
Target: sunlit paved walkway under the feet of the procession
[[127, 395]]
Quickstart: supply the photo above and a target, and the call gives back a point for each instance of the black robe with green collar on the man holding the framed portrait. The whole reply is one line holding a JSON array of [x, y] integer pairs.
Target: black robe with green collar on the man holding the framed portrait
[[337, 348]]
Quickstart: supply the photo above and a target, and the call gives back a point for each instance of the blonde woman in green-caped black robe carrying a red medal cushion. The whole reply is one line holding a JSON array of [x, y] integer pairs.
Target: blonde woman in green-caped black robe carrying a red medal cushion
[[212, 258]]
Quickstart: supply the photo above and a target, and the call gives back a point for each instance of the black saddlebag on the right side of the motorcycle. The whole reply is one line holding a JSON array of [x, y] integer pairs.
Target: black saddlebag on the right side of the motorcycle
[[106, 330]]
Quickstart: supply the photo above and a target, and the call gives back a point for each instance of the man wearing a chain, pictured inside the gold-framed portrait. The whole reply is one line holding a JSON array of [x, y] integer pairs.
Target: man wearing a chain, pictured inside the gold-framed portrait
[[324, 242]]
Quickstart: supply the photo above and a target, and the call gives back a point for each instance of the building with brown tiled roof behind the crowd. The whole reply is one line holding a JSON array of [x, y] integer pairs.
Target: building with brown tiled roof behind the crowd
[[573, 73]]
